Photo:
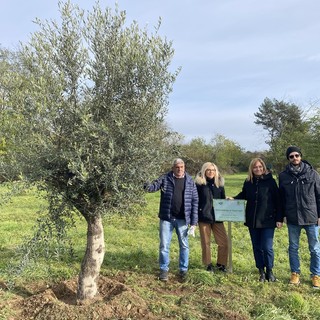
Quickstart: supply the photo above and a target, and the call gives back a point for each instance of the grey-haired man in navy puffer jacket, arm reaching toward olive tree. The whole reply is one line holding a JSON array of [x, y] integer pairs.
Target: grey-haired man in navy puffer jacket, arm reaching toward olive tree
[[178, 210]]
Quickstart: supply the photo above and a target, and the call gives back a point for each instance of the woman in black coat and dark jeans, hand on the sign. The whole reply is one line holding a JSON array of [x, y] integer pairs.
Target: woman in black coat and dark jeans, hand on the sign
[[263, 214]]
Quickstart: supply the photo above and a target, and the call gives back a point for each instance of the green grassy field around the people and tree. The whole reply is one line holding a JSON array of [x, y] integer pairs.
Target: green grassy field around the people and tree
[[132, 250]]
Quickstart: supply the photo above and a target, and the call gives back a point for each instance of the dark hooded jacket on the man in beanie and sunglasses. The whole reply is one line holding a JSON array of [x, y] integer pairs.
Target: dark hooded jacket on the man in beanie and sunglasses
[[300, 195]]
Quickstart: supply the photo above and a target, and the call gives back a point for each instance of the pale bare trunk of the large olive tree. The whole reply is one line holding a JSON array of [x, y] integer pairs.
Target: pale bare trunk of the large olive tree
[[92, 261]]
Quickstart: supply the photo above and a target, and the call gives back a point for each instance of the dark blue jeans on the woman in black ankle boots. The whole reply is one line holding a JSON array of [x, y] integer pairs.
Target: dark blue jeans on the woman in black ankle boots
[[262, 244]]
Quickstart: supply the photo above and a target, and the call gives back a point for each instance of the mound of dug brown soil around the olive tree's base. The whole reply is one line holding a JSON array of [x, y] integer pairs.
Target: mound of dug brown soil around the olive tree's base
[[57, 302]]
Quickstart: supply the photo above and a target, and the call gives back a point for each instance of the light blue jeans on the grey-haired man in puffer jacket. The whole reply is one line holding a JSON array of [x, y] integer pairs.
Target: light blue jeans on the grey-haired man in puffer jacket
[[166, 229]]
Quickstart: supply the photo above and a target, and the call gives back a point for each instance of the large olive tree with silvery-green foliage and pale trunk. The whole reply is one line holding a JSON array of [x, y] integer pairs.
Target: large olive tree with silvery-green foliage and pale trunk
[[90, 105]]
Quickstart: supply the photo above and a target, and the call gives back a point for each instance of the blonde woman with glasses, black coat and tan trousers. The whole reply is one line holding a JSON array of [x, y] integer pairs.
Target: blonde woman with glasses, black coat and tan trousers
[[210, 185]]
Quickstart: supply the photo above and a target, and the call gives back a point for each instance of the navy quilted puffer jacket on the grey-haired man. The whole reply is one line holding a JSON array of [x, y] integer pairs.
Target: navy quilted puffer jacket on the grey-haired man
[[166, 184]]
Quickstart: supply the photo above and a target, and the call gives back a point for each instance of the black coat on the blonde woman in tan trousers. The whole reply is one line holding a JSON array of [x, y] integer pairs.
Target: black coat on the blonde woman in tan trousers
[[208, 192]]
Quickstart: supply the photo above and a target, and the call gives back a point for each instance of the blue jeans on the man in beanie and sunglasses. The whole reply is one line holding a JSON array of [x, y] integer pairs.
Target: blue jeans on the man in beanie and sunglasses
[[312, 232]]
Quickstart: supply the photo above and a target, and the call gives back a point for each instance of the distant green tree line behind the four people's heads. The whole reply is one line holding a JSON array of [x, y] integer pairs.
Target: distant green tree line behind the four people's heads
[[285, 123]]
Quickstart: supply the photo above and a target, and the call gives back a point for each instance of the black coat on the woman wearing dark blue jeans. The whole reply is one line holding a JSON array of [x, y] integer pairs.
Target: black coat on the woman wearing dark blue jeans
[[263, 208]]
